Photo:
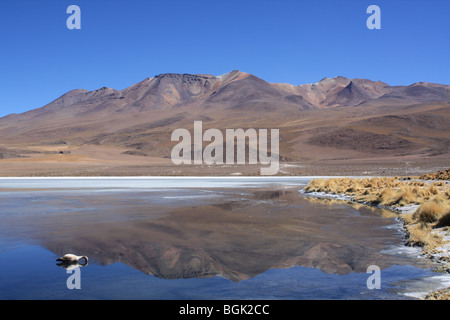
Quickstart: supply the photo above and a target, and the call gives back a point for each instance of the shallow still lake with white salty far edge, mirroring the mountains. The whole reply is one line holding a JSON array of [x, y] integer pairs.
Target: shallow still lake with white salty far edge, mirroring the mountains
[[198, 238]]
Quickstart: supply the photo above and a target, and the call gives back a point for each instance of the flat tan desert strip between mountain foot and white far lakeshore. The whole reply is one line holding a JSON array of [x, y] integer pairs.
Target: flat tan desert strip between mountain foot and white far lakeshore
[[67, 160]]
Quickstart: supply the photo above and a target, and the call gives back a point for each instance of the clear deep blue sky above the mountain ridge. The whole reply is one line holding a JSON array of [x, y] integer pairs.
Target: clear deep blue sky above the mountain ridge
[[294, 41]]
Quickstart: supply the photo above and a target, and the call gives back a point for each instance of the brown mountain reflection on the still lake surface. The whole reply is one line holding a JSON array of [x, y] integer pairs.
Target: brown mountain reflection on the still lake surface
[[235, 234]]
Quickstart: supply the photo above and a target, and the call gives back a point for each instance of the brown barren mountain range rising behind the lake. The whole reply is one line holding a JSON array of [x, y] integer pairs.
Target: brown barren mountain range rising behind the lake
[[333, 120]]
